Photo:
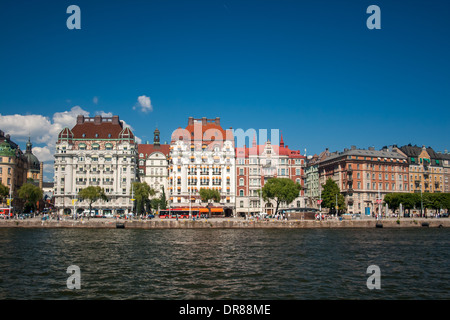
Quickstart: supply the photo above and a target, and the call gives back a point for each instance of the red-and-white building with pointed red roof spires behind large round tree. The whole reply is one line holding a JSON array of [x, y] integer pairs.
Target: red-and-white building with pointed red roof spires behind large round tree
[[258, 163]]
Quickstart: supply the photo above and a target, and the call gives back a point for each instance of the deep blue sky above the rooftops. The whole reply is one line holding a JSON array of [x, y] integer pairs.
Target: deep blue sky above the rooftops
[[311, 69]]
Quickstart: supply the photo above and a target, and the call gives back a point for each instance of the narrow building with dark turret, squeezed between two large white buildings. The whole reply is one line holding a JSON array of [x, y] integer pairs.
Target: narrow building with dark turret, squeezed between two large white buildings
[[154, 163]]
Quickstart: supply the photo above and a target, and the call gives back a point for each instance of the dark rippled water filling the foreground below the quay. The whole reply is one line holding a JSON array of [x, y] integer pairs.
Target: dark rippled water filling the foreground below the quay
[[225, 264]]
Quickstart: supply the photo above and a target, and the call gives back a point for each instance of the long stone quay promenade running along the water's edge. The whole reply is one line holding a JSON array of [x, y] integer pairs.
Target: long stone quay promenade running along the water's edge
[[225, 223]]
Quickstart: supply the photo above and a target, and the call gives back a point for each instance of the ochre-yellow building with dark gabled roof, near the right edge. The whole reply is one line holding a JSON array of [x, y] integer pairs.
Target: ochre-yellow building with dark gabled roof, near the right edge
[[426, 170]]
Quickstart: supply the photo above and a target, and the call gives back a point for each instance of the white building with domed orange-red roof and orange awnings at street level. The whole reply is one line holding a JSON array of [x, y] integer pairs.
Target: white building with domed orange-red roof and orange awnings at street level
[[202, 156]]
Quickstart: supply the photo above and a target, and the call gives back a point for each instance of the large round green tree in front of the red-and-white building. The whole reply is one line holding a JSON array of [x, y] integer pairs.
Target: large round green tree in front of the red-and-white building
[[280, 190]]
